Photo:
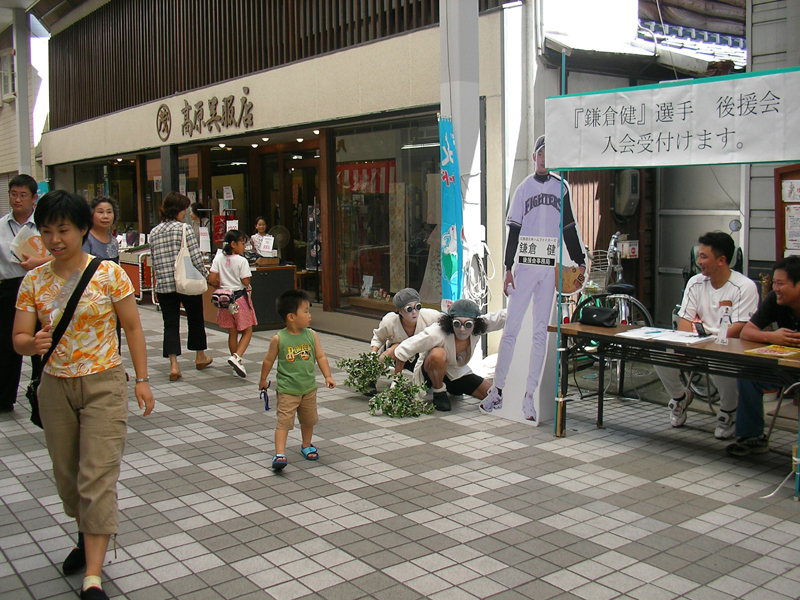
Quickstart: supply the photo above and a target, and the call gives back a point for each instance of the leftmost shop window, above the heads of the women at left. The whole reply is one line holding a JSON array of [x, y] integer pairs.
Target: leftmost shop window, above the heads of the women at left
[[116, 179]]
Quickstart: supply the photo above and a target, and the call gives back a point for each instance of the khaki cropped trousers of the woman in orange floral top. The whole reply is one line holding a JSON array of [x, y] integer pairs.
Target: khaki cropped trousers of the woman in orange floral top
[[85, 422]]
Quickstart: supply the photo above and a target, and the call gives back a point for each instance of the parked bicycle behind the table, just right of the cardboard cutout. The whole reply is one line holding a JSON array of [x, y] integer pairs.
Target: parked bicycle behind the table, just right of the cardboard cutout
[[605, 287]]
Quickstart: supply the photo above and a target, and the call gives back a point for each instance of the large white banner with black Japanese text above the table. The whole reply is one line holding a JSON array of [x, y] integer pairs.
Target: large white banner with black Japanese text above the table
[[739, 119]]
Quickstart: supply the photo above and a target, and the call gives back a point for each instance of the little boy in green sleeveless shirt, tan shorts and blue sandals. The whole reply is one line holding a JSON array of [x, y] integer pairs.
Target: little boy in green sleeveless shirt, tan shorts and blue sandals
[[296, 348]]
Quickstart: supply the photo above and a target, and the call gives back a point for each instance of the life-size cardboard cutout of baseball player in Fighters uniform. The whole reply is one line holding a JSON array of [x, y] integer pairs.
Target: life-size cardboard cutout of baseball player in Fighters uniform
[[534, 219]]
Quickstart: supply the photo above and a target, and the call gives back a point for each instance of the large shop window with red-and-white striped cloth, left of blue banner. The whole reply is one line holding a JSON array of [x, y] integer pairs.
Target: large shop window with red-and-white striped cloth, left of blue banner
[[387, 207]]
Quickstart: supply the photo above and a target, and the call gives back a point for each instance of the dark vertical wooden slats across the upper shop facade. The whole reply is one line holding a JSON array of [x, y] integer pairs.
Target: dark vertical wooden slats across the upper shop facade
[[129, 52]]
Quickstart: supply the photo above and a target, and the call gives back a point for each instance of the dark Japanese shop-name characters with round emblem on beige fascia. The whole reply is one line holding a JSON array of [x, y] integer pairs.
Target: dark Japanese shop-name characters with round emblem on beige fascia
[[201, 115]]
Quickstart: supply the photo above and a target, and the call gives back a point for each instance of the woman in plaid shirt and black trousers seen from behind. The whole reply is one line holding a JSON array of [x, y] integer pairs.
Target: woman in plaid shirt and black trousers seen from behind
[[165, 243]]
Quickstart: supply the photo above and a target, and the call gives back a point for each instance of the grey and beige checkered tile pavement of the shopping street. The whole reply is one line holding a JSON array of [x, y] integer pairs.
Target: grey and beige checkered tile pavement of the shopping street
[[450, 506]]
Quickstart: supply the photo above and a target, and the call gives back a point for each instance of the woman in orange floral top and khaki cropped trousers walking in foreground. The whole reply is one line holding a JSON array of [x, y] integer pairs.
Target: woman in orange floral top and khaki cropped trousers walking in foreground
[[83, 390]]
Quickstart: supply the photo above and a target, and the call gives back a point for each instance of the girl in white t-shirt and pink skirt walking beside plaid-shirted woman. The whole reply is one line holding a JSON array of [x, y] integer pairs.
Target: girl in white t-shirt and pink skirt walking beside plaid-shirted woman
[[231, 271]]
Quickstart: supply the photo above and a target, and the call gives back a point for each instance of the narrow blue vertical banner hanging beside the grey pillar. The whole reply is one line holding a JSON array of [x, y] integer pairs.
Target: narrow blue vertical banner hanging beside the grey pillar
[[452, 215]]
